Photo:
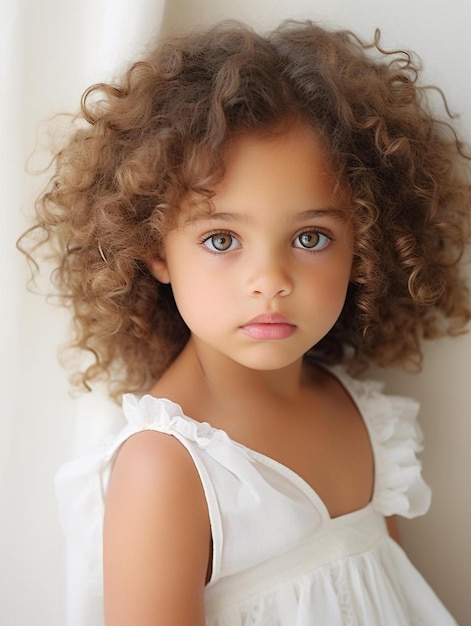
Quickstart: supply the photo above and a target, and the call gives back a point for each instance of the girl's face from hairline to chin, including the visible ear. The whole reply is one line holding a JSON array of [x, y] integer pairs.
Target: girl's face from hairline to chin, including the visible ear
[[264, 277]]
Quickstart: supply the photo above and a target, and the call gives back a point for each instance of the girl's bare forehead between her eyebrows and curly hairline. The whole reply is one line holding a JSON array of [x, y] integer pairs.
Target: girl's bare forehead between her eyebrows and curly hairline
[[290, 167]]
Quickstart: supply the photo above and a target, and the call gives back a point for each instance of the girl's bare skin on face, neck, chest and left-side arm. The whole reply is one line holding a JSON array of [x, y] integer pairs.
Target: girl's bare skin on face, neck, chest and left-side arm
[[278, 243]]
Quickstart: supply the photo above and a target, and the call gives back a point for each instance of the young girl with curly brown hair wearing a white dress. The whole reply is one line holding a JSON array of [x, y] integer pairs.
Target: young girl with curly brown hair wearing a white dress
[[238, 223]]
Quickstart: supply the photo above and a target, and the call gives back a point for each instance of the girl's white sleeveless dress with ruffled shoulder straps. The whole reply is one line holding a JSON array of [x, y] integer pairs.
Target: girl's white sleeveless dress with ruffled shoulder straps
[[278, 558]]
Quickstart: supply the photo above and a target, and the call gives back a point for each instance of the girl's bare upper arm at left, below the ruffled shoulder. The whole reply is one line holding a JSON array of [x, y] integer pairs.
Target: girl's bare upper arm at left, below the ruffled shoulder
[[156, 536]]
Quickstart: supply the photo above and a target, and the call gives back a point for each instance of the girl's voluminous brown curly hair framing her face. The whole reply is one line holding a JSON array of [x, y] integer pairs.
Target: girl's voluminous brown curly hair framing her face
[[160, 135]]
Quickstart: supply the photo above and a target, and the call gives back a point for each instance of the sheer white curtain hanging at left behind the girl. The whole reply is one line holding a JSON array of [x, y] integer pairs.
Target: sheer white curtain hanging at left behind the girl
[[51, 51]]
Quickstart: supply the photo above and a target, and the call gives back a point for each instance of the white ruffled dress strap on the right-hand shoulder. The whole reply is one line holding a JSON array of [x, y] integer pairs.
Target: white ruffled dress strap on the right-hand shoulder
[[396, 439]]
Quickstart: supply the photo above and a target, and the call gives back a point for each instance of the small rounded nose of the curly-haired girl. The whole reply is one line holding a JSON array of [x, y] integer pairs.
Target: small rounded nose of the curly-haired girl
[[269, 277]]
